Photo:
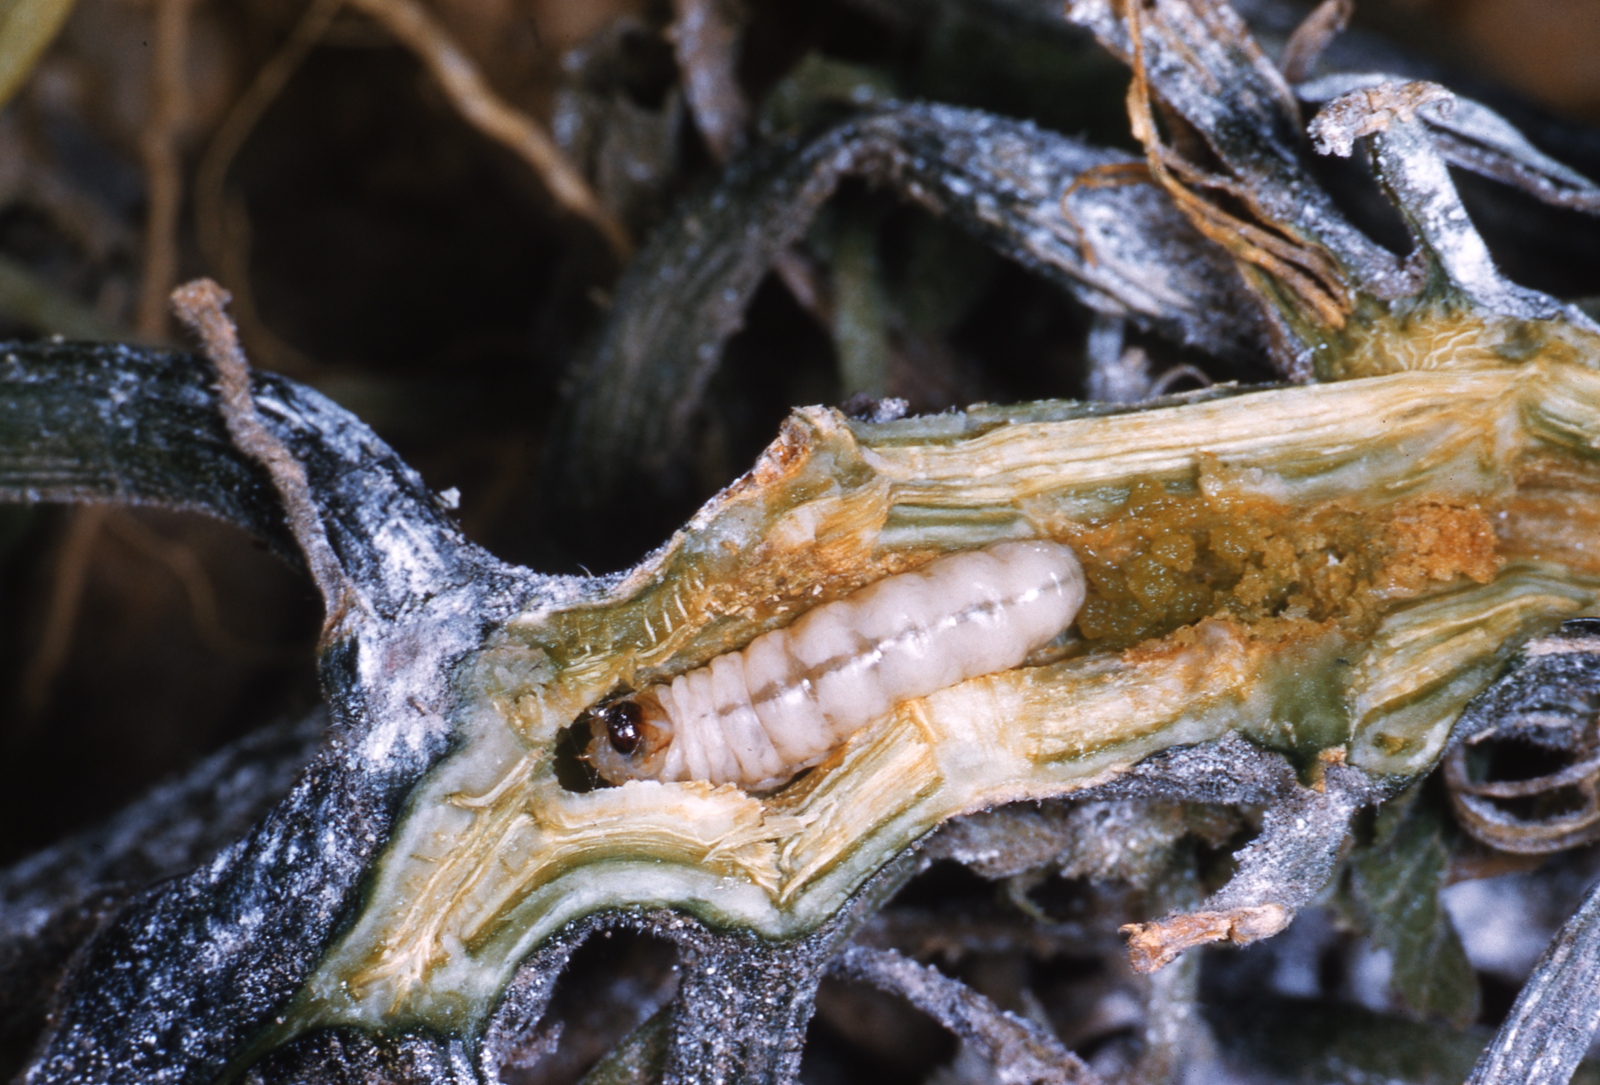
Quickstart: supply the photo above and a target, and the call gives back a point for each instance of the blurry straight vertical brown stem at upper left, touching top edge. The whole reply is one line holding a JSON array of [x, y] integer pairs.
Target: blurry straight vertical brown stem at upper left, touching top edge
[[162, 167]]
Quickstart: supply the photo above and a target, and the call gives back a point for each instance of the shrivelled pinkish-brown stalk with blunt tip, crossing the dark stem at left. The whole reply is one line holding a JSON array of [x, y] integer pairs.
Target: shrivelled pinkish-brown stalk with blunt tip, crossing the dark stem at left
[[199, 305]]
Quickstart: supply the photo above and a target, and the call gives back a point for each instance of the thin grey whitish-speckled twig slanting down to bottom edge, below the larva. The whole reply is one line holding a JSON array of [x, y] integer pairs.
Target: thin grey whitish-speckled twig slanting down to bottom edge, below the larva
[[1020, 1051]]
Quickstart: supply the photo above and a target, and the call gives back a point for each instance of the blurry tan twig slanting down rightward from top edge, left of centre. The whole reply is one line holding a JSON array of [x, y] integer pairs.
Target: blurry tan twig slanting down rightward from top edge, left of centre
[[494, 116]]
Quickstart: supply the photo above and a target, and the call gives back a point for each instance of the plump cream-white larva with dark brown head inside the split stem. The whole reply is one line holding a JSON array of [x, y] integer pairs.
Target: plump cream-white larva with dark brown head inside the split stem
[[759, 716]]
